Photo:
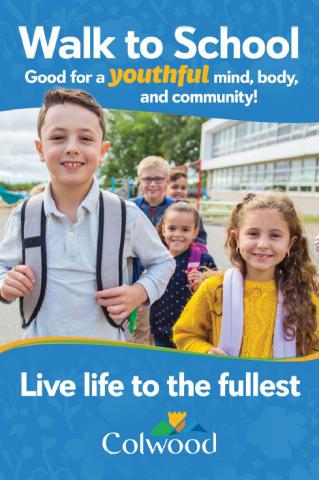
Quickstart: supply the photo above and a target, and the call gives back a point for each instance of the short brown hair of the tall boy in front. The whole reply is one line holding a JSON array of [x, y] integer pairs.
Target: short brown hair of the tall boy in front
[[79, 97]]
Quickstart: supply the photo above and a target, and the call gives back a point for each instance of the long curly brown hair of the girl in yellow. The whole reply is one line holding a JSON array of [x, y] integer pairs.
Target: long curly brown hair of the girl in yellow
[[296, 273]]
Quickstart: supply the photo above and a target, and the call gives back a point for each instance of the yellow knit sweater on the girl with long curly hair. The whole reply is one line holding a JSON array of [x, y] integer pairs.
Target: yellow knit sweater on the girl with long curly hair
[[198, 328]]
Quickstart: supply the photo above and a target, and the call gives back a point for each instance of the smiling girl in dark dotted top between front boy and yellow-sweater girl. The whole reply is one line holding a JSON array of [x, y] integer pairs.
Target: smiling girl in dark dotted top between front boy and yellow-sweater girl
[[178, 229]]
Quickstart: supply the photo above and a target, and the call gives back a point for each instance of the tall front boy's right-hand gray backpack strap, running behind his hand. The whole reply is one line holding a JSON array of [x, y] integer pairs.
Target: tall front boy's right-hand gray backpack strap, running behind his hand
[[109, 261]]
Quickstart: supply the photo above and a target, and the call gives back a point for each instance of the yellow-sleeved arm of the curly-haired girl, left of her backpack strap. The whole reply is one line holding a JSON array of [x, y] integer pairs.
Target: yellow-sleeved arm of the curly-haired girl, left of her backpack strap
[[193, 330]]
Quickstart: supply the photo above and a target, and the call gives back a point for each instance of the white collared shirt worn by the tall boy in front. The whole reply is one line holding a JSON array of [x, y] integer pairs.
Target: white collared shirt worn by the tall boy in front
[[69, 307]]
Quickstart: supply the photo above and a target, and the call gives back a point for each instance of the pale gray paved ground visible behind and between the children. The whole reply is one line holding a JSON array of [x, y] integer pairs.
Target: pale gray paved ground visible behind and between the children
[[10, 329]]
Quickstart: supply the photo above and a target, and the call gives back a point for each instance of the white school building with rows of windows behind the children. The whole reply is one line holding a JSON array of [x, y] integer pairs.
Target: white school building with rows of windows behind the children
[[259, 156]]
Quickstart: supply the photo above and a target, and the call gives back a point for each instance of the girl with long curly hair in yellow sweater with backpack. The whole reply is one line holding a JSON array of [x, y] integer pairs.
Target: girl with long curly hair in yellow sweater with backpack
[[267, 305]]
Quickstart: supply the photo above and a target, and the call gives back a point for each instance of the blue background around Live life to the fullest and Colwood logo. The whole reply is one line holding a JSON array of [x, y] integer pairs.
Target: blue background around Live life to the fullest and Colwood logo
[[60, 438]]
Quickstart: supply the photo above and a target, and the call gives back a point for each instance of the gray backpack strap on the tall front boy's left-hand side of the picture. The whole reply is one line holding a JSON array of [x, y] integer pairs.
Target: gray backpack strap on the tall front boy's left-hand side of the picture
[[33, 224]]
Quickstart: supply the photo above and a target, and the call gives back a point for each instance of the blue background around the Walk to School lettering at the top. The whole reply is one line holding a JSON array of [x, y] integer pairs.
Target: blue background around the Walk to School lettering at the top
[[265, 18]]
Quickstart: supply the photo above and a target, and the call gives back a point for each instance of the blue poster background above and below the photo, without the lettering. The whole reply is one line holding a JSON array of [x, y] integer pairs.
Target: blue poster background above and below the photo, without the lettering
[[58, 438]]
